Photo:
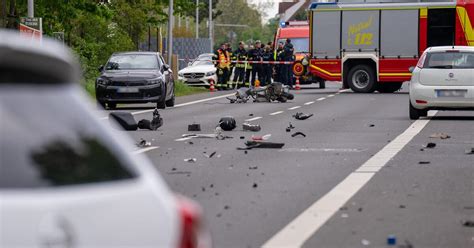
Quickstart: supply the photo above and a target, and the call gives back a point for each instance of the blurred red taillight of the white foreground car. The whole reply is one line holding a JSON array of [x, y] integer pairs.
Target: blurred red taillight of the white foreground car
[[193, 232]]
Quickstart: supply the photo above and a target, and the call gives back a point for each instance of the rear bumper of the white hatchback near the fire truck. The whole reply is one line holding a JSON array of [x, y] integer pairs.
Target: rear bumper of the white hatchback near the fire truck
[[419, 92]]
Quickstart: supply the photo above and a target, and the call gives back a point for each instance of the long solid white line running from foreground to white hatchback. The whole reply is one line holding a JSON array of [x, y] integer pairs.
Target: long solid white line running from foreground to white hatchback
[[308, 222]]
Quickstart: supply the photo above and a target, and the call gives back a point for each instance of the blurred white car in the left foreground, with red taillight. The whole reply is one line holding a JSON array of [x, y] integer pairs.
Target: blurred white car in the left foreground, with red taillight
[[66, 179]]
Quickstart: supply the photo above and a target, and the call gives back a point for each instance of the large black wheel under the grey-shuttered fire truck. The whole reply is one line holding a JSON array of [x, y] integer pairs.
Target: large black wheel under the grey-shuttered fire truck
[[361, 79]]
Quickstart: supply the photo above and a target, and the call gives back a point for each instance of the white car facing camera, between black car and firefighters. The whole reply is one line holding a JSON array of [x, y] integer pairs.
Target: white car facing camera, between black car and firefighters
[[199, 72]]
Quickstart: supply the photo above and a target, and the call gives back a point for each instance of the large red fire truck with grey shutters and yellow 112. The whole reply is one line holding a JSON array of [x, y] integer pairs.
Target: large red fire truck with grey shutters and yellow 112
[[371, 46]]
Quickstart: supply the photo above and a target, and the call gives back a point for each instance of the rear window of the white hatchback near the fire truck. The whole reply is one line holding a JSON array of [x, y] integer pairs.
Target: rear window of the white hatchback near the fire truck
[[450, 60]]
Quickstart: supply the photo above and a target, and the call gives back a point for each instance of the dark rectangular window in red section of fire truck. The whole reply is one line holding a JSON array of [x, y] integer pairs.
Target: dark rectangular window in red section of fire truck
[[441, 27]]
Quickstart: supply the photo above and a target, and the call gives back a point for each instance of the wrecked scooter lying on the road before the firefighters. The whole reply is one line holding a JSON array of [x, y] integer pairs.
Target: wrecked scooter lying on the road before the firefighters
[[274, 92]]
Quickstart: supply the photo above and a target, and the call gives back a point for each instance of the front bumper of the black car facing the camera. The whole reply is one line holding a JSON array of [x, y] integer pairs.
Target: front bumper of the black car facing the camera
[[140, 94]]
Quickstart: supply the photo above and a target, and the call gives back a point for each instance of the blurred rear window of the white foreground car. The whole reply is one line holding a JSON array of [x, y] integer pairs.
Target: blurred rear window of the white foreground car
[[48, 140]]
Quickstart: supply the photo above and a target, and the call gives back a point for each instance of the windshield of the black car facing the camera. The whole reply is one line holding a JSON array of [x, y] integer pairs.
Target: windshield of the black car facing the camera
[[132, 62]]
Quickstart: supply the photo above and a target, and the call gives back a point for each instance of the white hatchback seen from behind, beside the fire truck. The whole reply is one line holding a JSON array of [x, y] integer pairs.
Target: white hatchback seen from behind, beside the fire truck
[[443, 79]]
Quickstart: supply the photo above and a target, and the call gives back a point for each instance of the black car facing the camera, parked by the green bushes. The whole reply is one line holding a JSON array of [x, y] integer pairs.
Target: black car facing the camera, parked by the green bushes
[[135, 77]]
